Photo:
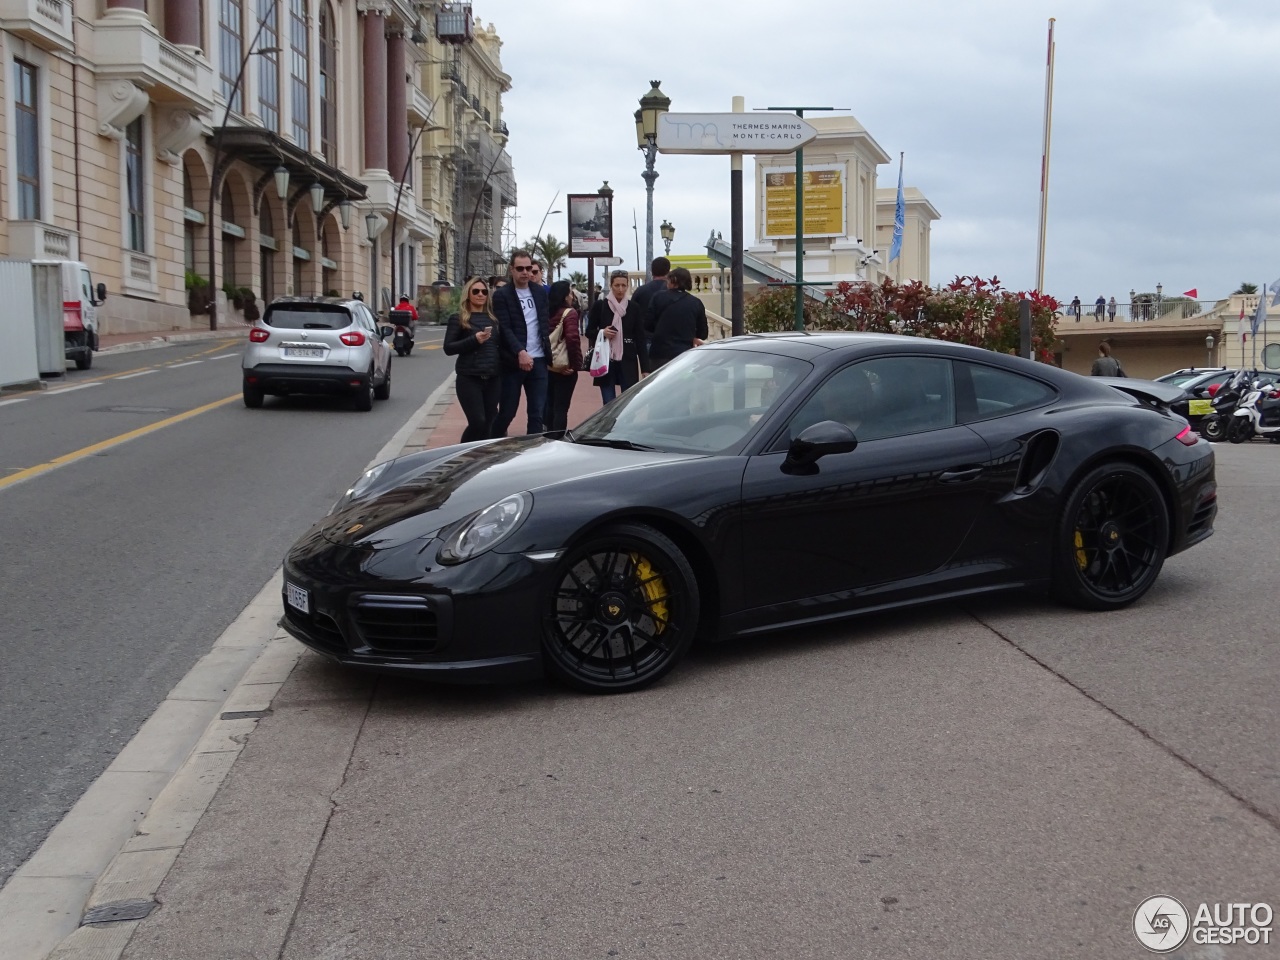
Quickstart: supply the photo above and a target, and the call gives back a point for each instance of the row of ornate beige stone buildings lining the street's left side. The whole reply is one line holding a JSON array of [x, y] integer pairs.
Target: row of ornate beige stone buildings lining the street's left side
[[285, 147]]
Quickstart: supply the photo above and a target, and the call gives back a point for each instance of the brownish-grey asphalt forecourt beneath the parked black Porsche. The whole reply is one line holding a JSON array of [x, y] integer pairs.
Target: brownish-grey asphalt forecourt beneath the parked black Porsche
[[1004, 779]]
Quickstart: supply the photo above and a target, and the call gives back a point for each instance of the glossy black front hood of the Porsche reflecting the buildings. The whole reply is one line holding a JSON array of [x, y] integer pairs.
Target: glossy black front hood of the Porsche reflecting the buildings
[[442, 492]]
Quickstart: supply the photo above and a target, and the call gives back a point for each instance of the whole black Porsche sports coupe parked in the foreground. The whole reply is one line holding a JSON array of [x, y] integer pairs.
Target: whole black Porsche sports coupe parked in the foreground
[[753, 484]]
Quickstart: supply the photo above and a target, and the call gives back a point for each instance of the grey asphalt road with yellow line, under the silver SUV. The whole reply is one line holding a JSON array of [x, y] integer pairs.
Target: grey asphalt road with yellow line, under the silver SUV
[[121, 568]]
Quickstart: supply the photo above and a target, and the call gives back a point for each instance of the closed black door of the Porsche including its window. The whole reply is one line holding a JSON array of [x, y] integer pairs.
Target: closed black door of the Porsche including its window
[[868, 523]]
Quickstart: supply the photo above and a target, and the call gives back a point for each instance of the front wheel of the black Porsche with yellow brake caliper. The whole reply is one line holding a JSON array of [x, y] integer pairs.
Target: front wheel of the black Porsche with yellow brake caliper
[[624, 611]]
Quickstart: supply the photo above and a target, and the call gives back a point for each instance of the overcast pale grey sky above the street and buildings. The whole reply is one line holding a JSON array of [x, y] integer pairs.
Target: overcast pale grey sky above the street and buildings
[[1164, 167]]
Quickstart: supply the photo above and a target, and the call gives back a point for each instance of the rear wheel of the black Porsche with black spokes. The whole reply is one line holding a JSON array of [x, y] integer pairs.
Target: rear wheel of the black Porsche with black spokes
[[1113, 538]]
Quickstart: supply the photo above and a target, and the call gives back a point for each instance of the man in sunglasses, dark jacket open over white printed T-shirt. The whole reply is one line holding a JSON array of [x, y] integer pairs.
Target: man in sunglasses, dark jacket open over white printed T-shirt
[[523, 345]]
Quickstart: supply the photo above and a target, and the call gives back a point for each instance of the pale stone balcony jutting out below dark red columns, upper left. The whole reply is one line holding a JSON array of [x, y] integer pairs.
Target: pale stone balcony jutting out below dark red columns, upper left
[[130, 48]]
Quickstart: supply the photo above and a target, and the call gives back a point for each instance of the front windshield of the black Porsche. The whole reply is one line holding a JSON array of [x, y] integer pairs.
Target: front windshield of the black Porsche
[[705, 401]]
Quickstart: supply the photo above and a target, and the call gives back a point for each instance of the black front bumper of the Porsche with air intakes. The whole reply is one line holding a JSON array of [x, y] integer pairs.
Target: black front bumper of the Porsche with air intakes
[[479, 621]]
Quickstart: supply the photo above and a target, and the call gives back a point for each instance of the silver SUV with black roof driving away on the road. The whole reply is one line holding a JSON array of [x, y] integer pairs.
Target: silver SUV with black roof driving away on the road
[[318, 345]]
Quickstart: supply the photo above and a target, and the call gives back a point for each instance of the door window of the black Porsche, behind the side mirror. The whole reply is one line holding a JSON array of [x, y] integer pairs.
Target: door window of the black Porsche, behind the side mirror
[[884, 397]]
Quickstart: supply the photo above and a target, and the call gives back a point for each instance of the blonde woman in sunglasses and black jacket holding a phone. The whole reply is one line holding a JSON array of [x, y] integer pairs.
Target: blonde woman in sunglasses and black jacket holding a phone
[[470, 337]]
